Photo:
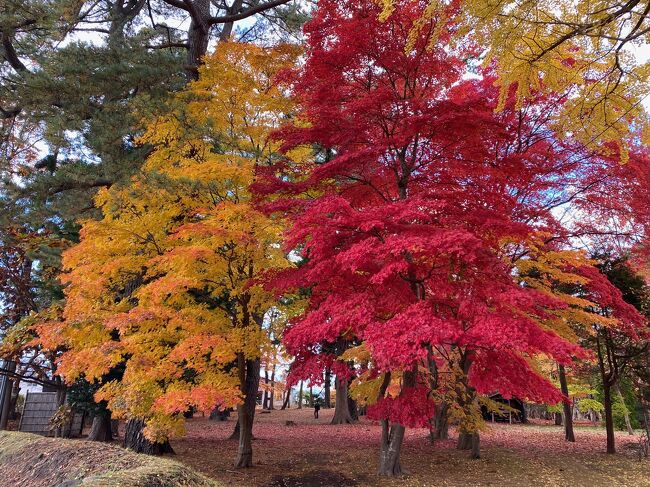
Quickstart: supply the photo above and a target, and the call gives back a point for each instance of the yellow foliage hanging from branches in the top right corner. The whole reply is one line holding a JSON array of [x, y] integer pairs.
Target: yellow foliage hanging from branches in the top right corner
[[581, 52]]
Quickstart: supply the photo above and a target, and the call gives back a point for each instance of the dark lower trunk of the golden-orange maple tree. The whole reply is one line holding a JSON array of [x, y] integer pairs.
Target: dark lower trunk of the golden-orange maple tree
[[249, 384]]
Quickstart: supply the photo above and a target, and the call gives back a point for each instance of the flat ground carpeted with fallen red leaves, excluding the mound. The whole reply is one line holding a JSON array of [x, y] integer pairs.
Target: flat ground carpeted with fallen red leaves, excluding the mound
[[313, 453]]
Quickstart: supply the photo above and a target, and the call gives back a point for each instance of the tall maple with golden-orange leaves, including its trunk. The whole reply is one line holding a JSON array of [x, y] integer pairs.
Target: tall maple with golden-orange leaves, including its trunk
[[174, 261]]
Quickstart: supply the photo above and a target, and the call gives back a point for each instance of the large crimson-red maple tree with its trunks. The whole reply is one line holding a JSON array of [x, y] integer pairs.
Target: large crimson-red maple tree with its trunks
[[411, 228]]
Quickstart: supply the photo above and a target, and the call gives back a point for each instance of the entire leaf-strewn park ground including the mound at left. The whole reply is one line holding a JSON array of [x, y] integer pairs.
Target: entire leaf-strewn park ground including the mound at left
[[313, 453]]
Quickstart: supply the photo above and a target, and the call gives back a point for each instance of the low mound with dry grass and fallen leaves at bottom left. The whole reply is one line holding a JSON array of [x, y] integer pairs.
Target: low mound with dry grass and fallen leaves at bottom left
[[27, 459]]
